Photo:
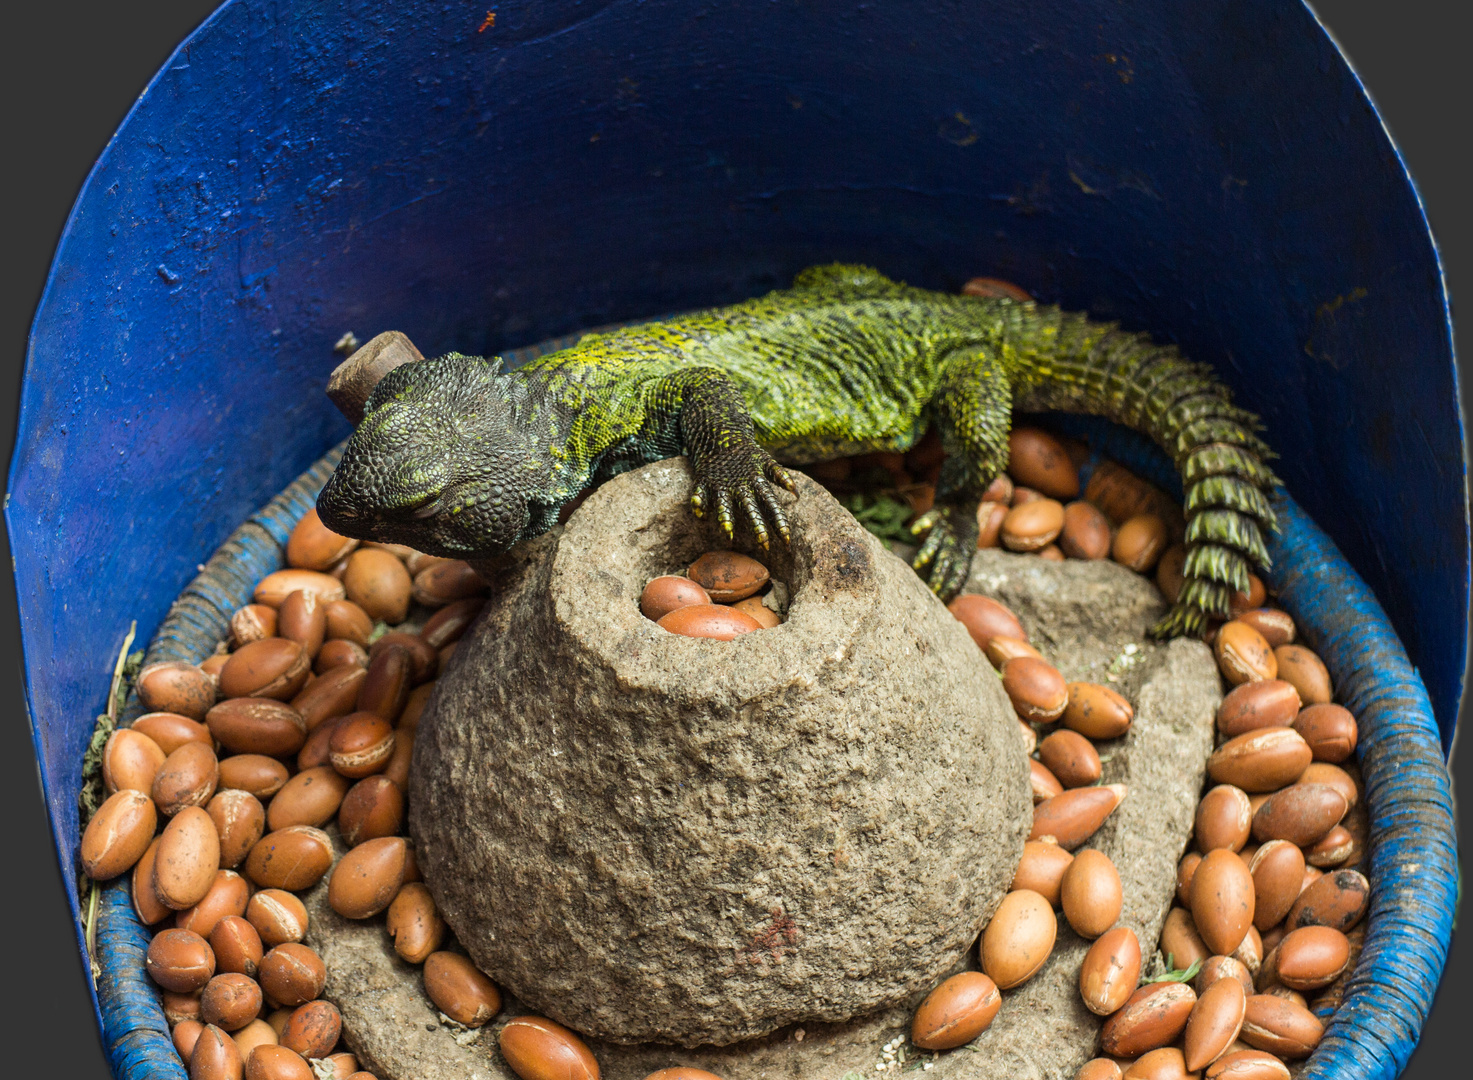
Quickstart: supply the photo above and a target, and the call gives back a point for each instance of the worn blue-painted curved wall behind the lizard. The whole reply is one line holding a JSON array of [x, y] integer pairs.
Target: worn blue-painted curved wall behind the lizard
[[1209, 172]]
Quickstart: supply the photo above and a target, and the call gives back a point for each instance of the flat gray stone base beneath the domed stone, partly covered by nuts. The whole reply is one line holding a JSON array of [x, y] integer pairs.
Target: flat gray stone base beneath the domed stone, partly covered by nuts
[[1082, 617]]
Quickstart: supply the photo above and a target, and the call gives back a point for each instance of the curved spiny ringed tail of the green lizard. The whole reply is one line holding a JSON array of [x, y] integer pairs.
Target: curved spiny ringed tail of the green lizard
[[1064, 362]]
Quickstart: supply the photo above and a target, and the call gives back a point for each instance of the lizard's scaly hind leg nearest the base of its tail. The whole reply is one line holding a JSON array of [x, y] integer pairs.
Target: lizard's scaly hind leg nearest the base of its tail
[[973, 410]]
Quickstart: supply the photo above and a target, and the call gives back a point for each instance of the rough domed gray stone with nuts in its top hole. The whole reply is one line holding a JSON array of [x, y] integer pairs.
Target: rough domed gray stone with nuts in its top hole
[[653, 838]]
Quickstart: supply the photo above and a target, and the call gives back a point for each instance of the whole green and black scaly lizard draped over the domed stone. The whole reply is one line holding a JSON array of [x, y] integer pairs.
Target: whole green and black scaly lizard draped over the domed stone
[[456, 457]]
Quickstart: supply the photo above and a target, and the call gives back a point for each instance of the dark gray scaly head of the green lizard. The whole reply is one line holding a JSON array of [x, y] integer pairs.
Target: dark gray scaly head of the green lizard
[[434, 463]]
